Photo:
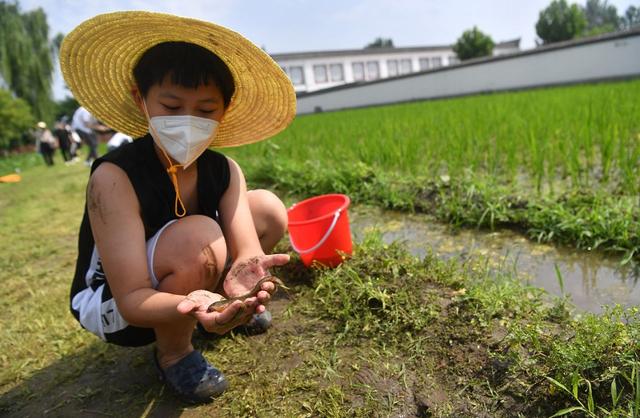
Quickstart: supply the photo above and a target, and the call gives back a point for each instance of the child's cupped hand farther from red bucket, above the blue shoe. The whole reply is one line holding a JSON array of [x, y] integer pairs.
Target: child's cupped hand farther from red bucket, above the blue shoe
[[237, 313]]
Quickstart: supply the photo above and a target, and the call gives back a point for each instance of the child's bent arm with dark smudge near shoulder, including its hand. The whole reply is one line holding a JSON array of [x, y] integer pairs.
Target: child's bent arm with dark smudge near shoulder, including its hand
[[118, 231]]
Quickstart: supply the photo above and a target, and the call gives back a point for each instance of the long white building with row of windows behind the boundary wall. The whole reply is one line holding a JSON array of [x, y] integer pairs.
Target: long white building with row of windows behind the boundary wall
[[311, 71]]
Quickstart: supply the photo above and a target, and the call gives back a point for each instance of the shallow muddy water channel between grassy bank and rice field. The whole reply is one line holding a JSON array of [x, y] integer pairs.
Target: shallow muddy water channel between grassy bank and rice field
[[591, 280]]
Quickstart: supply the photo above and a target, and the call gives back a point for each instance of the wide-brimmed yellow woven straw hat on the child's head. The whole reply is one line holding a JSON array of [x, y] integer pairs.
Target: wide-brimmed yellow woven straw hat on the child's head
[[97, 60]]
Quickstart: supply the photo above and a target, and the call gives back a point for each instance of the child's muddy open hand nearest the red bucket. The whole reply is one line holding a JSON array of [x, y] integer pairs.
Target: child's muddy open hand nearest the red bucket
[[245, 273]]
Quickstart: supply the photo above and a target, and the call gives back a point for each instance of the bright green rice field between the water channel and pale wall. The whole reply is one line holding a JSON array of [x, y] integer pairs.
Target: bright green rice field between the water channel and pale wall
[[559, 164]]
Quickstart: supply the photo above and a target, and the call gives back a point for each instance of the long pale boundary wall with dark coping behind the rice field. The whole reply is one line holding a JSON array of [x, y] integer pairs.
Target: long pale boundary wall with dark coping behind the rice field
[[606, 57]]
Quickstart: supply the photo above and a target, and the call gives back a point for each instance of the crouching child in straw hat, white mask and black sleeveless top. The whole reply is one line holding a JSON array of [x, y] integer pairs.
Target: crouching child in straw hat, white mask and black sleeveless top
[[165, 213]]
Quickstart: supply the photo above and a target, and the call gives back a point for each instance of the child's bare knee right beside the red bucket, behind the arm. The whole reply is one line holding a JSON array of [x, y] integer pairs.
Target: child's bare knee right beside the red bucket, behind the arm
[[269, 217]]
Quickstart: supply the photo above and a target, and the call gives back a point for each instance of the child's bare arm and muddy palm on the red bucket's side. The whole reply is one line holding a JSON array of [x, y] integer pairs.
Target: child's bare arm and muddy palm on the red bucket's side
[[250, 263]]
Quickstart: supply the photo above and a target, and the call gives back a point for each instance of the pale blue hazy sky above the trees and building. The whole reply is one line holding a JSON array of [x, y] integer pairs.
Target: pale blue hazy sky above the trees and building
[[305, 25]]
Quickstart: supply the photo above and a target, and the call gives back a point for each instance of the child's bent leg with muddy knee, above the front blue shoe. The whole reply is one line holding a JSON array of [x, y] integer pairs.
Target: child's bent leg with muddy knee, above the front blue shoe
[[189, 255]]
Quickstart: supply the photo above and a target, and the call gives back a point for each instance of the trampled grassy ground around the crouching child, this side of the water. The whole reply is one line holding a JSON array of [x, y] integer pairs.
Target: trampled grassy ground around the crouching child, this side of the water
[[385, 334]]
